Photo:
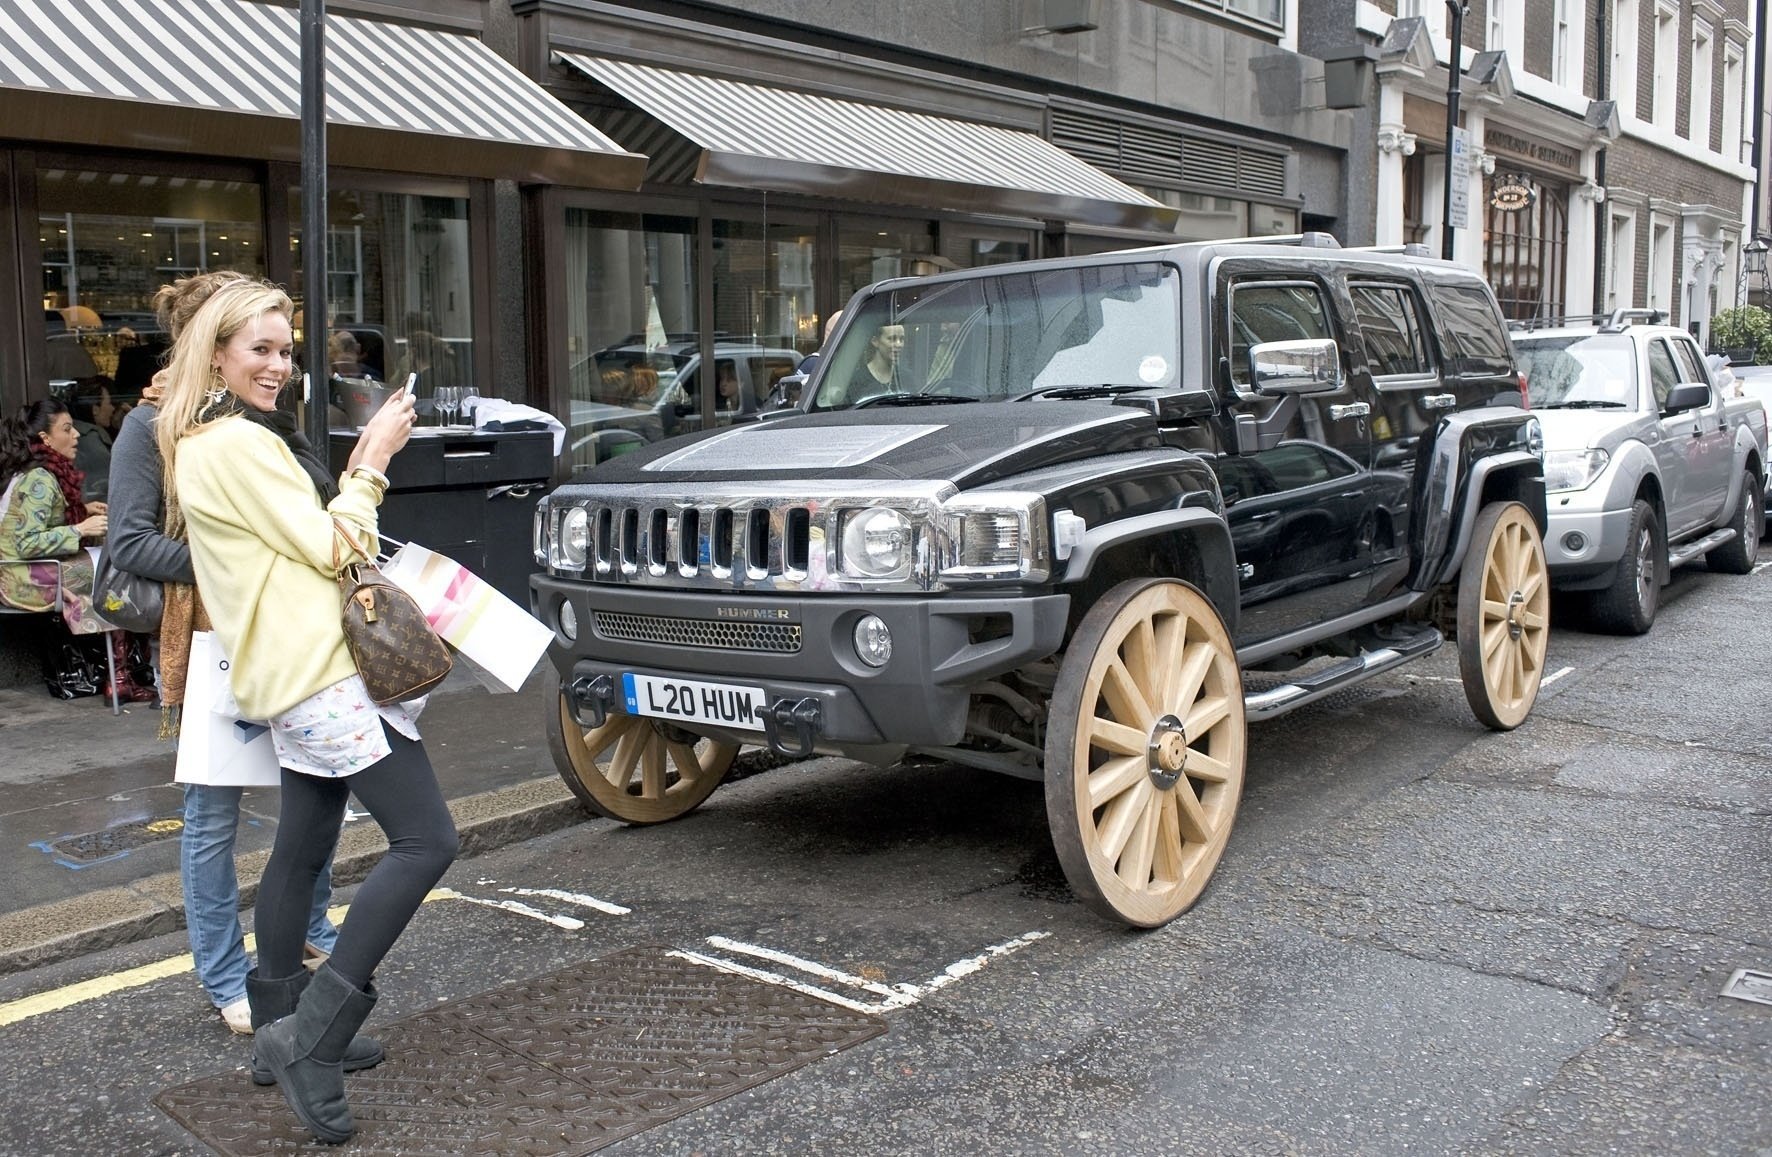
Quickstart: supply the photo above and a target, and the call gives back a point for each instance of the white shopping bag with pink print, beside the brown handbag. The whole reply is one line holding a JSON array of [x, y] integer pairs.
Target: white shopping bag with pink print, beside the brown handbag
[[501, 639]]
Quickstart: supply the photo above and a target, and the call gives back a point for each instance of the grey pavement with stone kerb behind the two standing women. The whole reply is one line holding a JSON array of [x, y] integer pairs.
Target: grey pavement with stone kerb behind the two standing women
[[89, 825]]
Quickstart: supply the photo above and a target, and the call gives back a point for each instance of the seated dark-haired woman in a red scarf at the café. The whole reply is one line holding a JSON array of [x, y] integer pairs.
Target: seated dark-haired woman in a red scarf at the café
[[45, 524]]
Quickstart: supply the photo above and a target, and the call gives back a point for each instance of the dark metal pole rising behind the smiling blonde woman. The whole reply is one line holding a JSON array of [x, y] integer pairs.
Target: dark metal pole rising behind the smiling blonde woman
[[315, 316]]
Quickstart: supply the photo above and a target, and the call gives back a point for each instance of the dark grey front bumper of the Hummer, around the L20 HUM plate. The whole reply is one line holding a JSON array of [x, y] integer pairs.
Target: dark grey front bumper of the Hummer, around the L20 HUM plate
[[821, 695]]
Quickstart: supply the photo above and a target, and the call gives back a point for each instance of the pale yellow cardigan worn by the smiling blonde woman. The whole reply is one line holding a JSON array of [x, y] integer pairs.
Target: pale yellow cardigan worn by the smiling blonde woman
[[263, 552]]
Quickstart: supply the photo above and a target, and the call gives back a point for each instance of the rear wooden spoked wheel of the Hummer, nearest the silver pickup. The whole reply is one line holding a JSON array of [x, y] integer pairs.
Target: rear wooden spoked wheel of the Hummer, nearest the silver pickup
[[1504, 616]]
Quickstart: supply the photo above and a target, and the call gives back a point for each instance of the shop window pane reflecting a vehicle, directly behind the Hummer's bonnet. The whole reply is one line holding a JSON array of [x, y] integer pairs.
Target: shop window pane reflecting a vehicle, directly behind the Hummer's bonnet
[[632, 332]]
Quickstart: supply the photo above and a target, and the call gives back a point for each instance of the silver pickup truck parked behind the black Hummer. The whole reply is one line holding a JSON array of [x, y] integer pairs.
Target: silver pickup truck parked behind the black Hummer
[[1647, 467]]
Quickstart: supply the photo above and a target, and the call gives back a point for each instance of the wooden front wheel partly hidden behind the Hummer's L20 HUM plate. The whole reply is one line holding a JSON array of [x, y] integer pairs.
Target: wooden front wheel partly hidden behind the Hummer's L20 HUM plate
[[633, 770]]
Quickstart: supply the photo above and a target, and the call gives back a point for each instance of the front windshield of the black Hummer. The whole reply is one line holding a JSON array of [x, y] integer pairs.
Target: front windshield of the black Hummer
[[999, 338]]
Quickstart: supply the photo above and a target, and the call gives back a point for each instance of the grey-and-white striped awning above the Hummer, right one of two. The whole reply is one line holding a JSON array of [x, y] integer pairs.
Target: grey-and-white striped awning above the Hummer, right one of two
[[738, 134]]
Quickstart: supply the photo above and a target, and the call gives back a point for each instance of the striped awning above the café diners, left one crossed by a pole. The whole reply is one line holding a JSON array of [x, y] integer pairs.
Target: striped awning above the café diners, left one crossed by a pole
[[224, 77]]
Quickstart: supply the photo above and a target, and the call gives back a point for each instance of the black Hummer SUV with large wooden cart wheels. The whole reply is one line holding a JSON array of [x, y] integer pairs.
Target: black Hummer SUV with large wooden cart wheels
[[1041, 520]]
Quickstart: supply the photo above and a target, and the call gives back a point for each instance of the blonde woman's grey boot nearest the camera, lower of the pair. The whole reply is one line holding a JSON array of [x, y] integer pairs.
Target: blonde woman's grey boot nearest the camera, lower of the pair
[[304, 1053]]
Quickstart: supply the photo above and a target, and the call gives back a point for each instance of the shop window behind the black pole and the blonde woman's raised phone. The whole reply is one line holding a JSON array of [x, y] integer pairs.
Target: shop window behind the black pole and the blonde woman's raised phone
[[400, 306]]
